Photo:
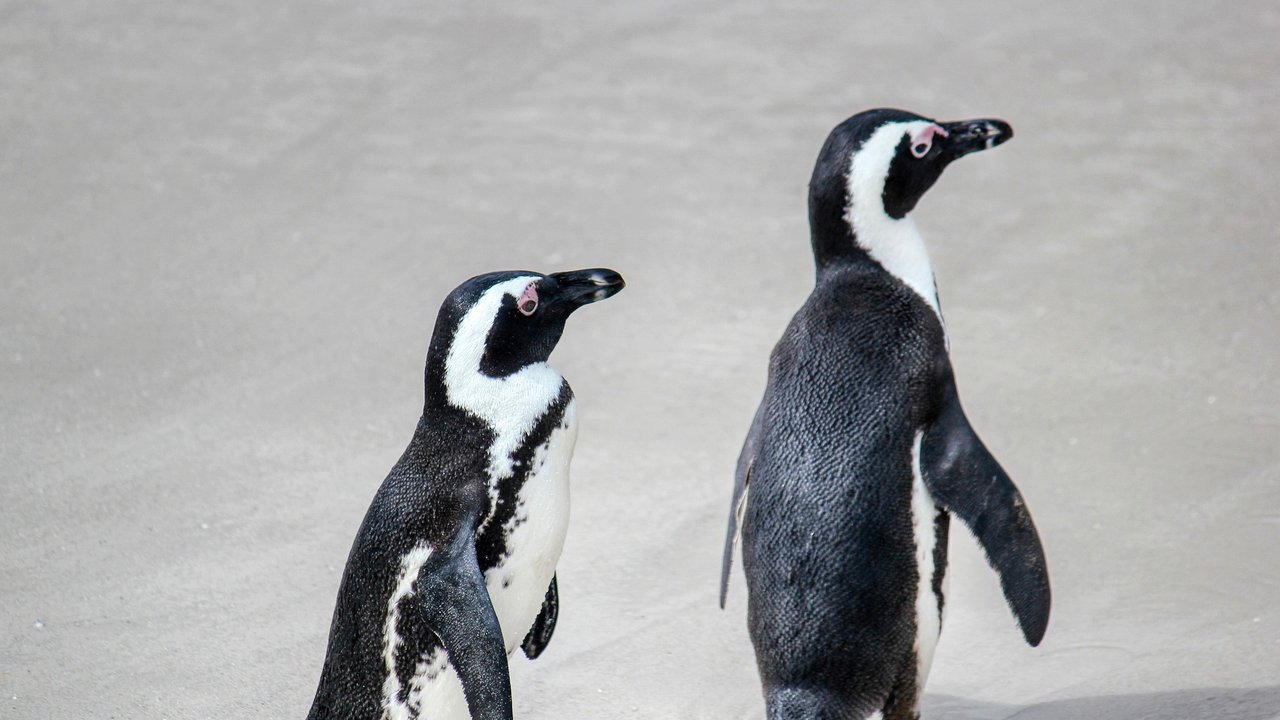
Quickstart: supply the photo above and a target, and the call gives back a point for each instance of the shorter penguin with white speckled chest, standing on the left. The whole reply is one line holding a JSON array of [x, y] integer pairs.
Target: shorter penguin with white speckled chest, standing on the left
[[455, 563]]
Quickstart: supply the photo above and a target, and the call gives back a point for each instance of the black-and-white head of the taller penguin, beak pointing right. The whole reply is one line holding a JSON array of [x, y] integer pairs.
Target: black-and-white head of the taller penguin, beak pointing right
[[876, 166]]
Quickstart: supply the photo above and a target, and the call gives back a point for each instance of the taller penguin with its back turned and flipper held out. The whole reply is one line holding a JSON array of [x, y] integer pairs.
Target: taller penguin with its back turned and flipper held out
[[861, 453]]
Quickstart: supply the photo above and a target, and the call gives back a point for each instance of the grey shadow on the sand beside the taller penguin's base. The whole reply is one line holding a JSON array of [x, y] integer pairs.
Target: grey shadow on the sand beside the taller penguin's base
[[1201, 704]]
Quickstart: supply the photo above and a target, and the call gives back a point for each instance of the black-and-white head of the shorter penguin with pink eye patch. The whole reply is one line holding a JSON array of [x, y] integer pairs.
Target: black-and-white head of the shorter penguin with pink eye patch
[[500, 323]]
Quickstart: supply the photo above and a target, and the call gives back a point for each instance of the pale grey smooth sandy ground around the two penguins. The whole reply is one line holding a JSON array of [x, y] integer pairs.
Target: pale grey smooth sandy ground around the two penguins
[[226, 230]]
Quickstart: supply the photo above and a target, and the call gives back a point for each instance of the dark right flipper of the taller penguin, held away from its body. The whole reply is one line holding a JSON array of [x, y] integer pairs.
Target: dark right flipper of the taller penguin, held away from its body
[[963, 477]]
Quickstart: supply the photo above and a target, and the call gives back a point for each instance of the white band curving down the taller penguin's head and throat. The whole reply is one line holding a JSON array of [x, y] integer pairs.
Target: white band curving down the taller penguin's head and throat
[[894, 244]]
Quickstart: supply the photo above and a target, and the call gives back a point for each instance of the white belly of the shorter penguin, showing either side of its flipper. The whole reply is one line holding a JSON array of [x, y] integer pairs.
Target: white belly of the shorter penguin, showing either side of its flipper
[[519, 584]]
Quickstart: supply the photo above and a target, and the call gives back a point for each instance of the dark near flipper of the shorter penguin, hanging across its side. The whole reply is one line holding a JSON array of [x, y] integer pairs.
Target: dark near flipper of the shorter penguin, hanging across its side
[[456, 607]]
